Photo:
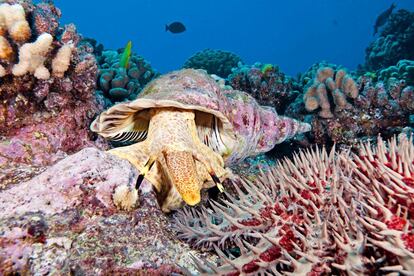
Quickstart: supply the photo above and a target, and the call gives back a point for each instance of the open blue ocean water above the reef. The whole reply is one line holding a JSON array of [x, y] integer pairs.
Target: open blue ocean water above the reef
[[293, 34]]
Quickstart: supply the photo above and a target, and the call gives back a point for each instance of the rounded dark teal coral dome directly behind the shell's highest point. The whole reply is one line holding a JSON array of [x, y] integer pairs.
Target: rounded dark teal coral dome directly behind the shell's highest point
[[215, 62]]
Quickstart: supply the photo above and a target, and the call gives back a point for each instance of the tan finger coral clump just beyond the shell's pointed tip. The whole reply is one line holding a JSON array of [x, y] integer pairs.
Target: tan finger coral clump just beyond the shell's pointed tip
[[339, 84]]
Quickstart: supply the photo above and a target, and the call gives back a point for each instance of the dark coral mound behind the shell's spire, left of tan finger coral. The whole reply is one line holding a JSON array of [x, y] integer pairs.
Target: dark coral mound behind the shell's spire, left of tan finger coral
[[266, 83]]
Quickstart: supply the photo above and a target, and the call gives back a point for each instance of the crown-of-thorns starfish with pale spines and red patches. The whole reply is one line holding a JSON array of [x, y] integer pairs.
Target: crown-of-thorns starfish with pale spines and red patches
[[318, 214]]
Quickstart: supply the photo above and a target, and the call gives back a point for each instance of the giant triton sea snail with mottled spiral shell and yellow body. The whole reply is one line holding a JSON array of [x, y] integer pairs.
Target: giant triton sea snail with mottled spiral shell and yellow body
[[187, 130]]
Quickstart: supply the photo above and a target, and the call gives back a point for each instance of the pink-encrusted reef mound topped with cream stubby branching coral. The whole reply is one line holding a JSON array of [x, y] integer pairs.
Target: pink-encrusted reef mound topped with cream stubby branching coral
[[46, 90]]
